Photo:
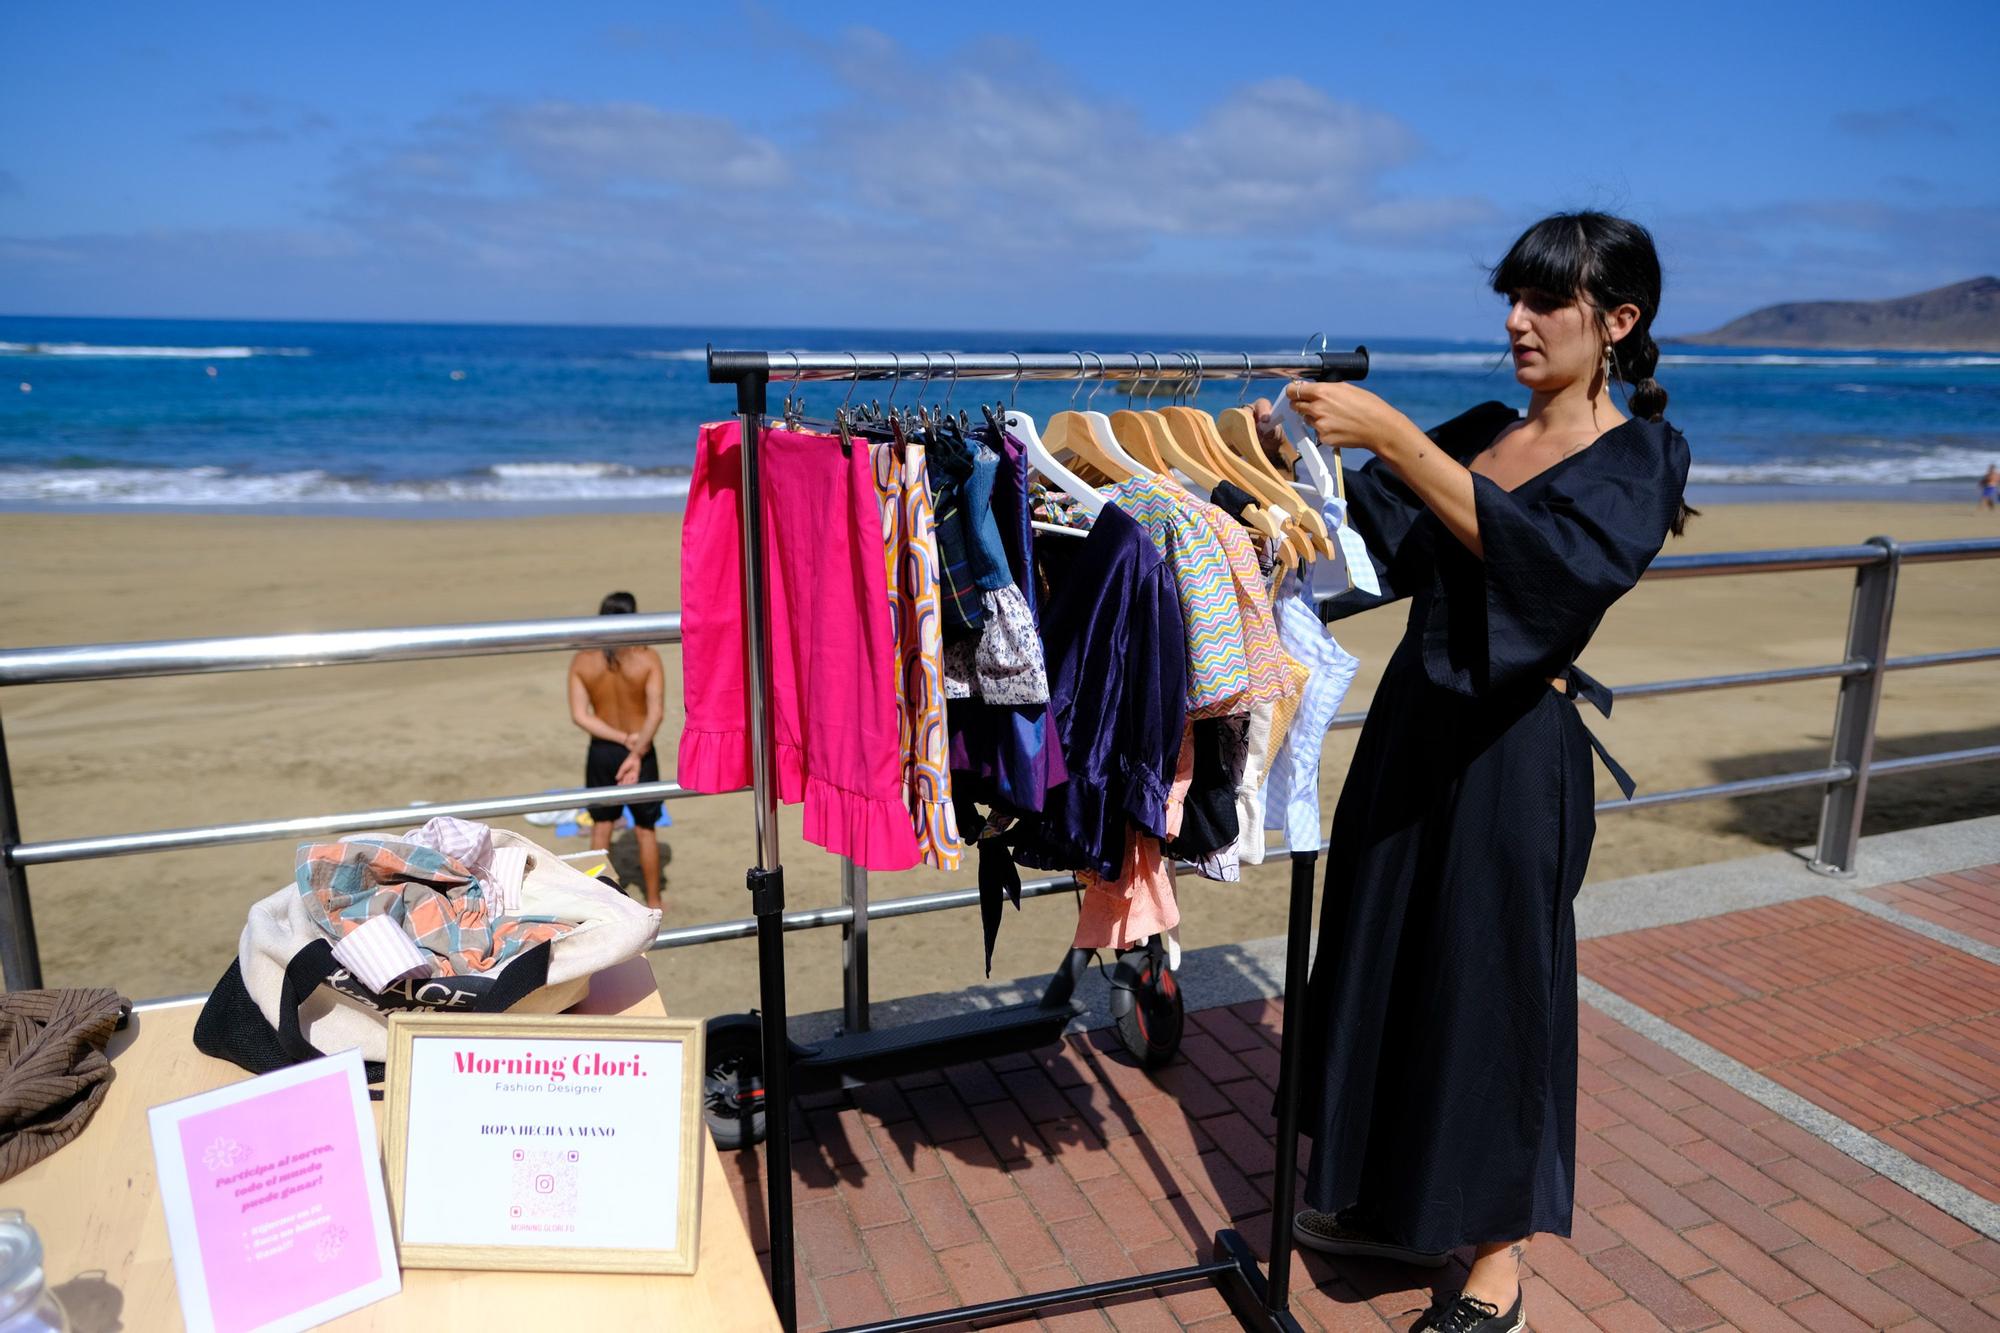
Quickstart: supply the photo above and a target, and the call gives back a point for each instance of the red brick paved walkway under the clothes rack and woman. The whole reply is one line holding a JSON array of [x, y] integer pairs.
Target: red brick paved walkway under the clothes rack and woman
[[1697, 1208]]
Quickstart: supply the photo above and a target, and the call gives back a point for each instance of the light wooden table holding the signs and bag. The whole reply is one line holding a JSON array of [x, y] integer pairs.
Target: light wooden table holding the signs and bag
[[105, 1236]]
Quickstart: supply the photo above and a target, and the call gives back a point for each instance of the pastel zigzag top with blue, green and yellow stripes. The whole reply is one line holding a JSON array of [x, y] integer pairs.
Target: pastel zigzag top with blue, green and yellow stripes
[[1219, 665]]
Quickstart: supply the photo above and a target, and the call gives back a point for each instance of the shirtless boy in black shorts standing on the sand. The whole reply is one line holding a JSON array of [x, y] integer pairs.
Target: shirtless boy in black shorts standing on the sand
[[615, 696]]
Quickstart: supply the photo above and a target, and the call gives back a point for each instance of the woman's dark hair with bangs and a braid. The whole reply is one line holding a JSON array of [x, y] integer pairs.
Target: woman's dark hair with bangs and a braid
[[1609, 263]]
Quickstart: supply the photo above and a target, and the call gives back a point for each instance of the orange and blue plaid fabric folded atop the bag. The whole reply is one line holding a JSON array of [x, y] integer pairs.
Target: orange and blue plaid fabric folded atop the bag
[[435, 898]]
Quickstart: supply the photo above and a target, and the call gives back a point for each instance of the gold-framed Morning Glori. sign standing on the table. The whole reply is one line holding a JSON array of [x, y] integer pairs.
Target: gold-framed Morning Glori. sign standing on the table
[[541, 1052]]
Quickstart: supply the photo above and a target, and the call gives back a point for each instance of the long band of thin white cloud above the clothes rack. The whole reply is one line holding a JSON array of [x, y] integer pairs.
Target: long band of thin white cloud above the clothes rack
[[989, 157]]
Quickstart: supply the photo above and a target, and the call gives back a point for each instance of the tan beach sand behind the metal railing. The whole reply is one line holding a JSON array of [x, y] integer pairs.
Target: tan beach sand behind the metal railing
[[145, 756]]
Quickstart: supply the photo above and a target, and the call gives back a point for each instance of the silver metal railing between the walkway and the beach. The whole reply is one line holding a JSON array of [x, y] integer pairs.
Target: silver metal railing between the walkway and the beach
[[1843, 780]]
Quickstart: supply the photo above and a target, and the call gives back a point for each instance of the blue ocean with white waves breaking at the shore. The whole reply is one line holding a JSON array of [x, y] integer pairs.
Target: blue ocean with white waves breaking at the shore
[[415, 419]]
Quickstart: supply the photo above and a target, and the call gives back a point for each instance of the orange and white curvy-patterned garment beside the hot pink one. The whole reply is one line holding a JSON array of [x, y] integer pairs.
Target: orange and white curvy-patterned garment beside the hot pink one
[[917, 629]]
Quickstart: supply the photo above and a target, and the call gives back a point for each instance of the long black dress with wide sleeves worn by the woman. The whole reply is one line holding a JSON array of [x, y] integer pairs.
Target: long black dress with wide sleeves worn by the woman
[[1441, 1046]]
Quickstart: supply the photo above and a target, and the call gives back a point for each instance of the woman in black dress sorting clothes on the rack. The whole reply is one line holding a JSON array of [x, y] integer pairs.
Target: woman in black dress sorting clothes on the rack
[[1441, 1086]]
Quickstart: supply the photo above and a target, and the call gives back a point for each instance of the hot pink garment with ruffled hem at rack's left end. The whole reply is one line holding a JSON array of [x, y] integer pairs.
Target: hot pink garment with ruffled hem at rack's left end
[[833, 657]]
